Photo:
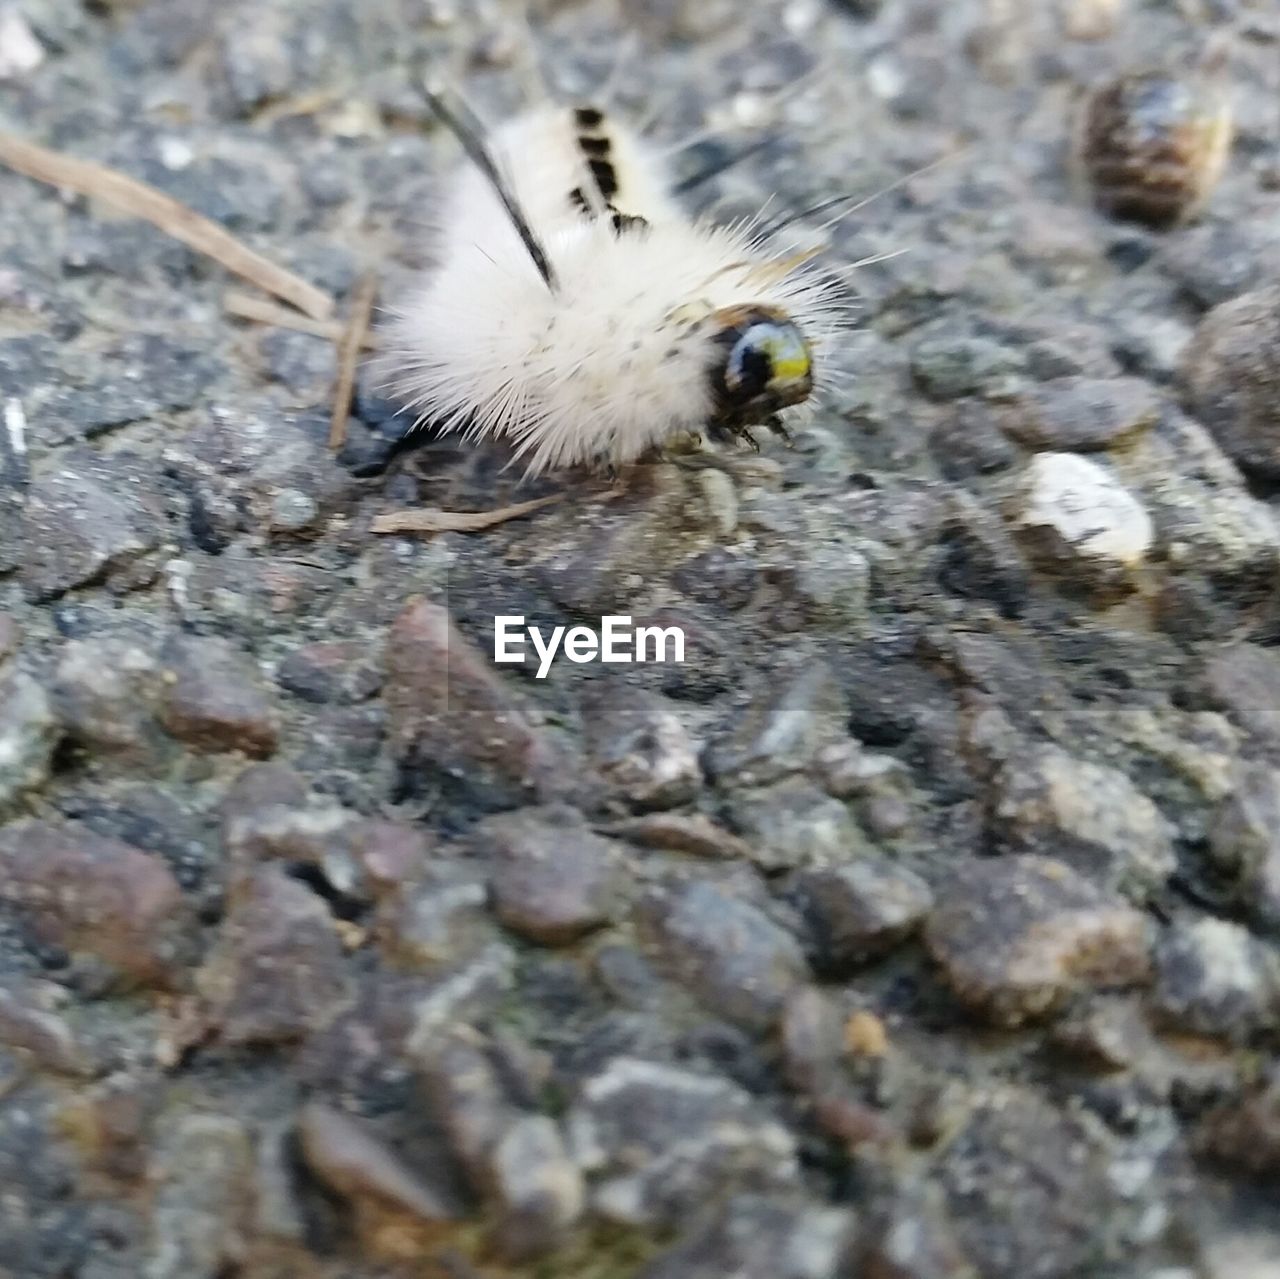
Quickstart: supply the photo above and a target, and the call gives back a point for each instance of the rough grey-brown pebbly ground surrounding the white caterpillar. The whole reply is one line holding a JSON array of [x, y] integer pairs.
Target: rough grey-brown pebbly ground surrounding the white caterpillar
[[925, 924]]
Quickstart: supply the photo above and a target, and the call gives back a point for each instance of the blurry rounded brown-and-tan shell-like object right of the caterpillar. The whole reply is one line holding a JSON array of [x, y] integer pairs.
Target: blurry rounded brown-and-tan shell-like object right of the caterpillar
[[1154, 145]]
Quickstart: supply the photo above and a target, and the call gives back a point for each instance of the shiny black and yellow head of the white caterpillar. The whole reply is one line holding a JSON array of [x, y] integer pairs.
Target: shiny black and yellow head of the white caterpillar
[[762, 364]]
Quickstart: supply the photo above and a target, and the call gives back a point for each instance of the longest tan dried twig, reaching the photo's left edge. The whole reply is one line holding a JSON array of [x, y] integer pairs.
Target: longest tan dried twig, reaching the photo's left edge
[[167, 214]]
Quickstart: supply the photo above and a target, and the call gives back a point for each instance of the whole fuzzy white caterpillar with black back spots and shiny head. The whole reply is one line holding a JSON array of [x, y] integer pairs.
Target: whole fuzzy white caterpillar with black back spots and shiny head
[[598, 321]]
